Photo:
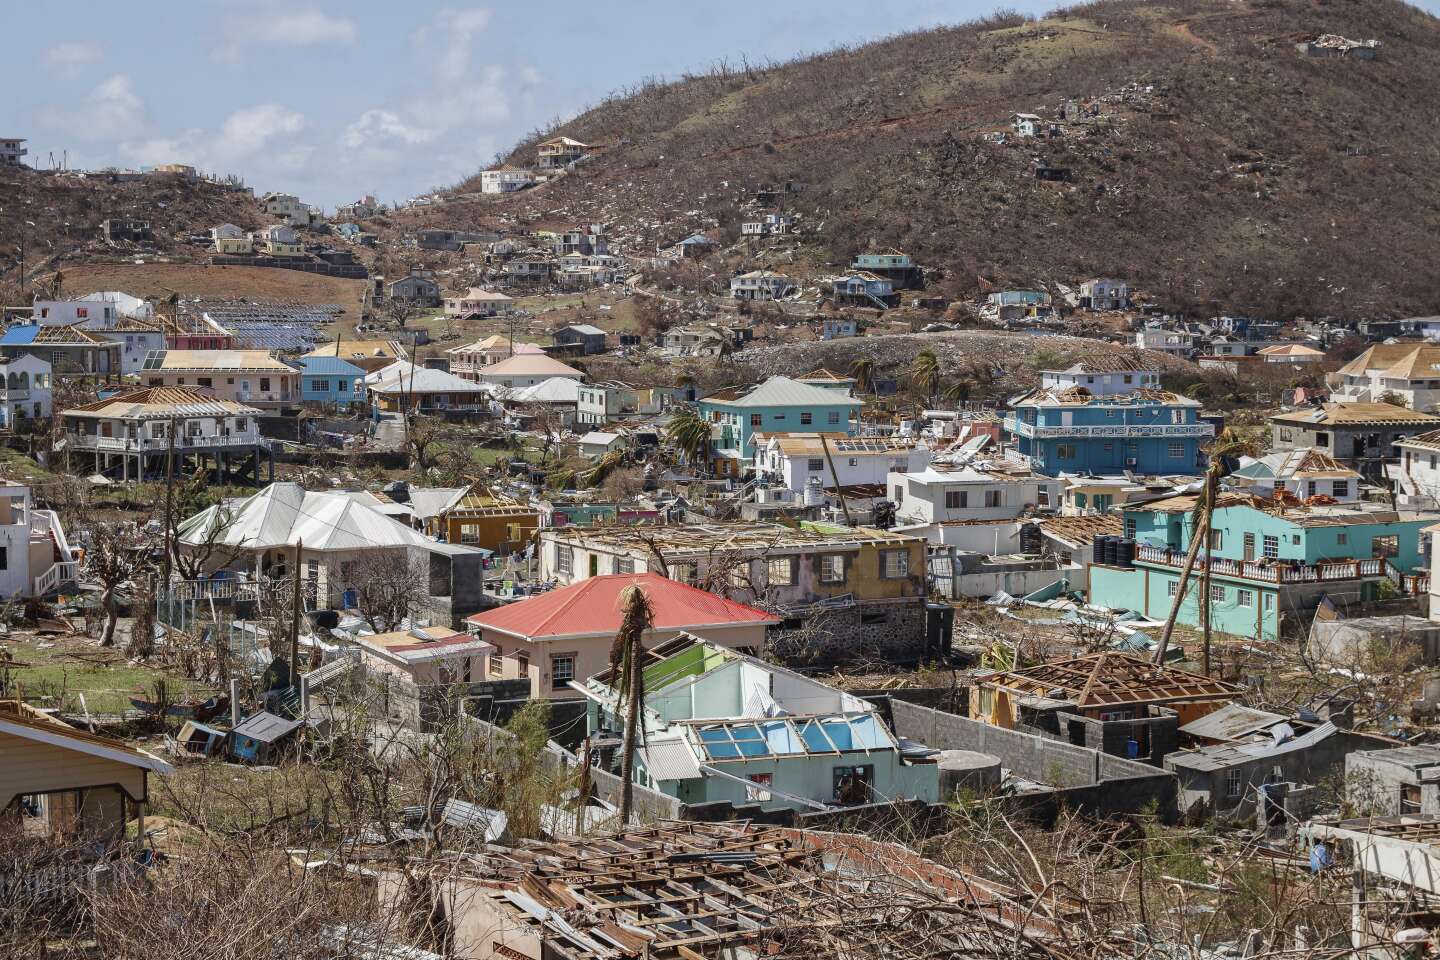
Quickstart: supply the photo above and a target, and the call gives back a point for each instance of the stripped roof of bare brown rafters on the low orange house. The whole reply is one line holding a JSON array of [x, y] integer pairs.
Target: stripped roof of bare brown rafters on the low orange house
[[1112, 679]]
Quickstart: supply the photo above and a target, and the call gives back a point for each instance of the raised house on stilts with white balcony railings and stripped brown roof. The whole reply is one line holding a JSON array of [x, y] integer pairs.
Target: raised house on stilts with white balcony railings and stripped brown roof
[[129, 435]]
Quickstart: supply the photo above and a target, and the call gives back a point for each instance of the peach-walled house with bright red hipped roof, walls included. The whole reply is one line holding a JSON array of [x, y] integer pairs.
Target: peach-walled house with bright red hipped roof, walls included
[[567, 634]]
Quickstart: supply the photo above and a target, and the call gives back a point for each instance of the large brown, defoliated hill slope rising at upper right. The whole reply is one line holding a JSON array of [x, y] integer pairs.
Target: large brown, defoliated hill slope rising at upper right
[[1215, 166]]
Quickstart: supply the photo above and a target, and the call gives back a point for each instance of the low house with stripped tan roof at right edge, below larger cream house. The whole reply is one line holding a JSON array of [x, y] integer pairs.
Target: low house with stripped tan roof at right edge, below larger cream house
[[1359, 435]]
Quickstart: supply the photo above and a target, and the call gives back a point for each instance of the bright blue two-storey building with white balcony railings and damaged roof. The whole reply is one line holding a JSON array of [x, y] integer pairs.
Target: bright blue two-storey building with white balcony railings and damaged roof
[[1107, 418]]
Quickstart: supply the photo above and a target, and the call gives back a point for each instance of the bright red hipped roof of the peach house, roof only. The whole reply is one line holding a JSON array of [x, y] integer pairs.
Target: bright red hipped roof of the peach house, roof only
[[593, 607]]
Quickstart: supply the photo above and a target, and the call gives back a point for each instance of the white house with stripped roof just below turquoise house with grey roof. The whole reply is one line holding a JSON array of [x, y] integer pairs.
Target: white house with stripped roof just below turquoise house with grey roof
[[793, 460]]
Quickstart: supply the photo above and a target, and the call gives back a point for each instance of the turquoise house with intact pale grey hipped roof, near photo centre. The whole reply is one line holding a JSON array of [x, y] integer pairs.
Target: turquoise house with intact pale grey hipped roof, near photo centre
[[777, 407]]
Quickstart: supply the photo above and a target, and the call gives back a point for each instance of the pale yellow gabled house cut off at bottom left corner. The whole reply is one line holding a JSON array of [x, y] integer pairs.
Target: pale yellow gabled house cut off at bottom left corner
[[68, 784]]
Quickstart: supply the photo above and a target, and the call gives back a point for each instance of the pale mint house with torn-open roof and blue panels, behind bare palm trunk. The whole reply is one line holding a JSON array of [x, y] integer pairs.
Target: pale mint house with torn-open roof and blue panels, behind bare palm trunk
[[725, 728]]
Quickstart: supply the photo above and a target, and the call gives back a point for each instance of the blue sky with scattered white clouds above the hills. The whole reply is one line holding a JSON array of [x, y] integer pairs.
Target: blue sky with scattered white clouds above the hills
[[335, 100]]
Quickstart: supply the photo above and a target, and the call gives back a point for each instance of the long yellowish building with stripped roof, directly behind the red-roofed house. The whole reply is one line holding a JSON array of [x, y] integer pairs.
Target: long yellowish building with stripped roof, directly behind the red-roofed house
[[870, 584]]
